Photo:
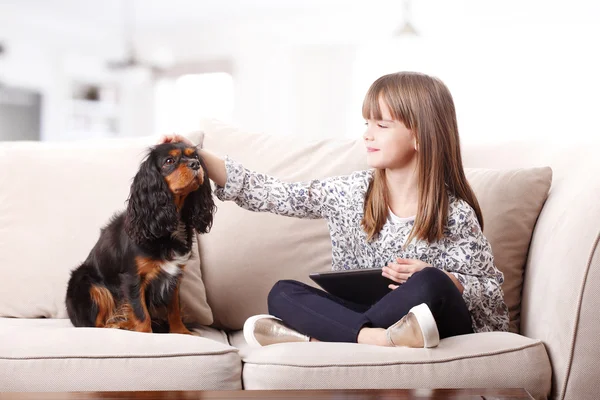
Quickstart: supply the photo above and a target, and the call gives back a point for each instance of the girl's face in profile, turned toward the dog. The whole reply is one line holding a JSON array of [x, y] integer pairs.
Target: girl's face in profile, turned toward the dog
[[389, 143]]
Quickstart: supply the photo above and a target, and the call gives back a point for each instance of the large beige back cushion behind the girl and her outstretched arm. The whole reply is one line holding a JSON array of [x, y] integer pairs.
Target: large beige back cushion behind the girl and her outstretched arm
[[246, 253]]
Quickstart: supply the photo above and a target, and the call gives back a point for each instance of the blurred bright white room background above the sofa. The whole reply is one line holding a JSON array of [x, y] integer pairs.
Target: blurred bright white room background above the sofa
[[81, 69]]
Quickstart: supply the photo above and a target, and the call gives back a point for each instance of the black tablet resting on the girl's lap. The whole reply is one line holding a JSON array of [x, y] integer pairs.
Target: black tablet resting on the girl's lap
[[362, 286]]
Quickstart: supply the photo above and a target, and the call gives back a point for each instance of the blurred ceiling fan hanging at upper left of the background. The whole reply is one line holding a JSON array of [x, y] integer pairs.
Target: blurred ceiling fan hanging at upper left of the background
[[131, 61]]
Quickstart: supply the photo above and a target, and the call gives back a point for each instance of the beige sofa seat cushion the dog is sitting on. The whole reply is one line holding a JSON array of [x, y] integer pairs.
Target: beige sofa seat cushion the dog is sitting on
[[51, 355]]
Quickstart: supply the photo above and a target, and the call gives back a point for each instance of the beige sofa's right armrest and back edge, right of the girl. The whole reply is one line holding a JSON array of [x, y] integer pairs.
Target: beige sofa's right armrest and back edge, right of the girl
[[560, 295]]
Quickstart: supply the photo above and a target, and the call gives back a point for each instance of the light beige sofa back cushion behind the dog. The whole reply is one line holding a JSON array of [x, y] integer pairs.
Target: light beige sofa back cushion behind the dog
[[54, 198]]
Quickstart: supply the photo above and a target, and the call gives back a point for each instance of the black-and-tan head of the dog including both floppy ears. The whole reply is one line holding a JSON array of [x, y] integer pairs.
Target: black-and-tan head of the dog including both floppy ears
[[170, 186]]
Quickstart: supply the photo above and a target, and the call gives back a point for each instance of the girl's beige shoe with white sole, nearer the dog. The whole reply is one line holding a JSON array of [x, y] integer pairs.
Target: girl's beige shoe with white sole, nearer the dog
[[263, 330]]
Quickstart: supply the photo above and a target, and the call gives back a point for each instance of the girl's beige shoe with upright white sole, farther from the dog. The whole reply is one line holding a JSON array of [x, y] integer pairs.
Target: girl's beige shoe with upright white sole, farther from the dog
[[415, 329]]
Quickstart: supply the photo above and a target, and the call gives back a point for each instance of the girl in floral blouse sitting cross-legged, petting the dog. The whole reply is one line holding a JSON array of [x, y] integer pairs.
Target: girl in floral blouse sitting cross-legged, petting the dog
[[413, 213]]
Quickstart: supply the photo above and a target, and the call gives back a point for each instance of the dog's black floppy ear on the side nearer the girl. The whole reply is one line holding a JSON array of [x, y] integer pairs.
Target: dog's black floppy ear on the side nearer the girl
[[199, 206]]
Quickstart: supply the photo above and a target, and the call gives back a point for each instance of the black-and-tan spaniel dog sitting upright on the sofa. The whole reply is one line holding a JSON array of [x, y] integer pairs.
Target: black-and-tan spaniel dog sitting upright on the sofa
[[134, 270]]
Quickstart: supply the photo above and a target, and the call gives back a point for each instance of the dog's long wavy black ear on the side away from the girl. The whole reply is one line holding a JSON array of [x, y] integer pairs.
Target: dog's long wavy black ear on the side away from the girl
[[151, 212]]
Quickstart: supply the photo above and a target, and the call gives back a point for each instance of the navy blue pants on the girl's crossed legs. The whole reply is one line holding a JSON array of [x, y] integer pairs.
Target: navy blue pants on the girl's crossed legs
[[327, 318]]
